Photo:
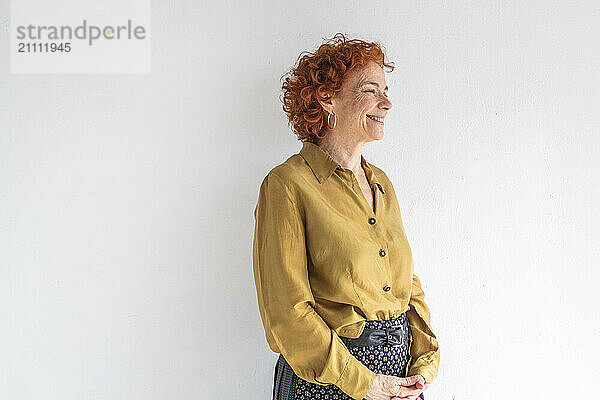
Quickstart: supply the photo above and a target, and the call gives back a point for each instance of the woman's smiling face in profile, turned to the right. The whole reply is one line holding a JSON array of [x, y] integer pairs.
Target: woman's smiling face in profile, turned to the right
[[362, 104]]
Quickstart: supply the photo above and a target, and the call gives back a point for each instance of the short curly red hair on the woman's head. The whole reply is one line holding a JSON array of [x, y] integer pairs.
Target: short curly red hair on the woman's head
[[319, 75]]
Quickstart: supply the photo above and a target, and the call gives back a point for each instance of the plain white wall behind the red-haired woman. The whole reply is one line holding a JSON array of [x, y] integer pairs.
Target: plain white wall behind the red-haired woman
[[126, 200]]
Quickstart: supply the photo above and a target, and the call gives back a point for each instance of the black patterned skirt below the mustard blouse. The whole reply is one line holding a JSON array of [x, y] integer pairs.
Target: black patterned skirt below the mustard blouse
[[388, 360]]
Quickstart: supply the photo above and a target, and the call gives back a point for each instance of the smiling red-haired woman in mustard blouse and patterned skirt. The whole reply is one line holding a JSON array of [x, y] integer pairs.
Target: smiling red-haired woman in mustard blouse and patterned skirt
[[332, 265]]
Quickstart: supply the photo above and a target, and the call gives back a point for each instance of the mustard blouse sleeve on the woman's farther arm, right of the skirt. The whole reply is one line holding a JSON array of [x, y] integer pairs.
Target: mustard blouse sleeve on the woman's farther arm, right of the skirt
[[424, 351]]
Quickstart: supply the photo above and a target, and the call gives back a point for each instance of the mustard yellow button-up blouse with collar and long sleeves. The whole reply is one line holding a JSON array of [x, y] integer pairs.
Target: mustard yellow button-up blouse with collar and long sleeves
[[325, 262]]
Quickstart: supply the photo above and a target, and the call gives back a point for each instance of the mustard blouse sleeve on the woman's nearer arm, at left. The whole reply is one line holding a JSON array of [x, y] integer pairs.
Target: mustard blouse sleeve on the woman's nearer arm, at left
[[286, 303]]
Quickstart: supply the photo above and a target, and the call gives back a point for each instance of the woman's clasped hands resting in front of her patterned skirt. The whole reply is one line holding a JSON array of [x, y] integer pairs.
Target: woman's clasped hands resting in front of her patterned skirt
[[386, 387]]
